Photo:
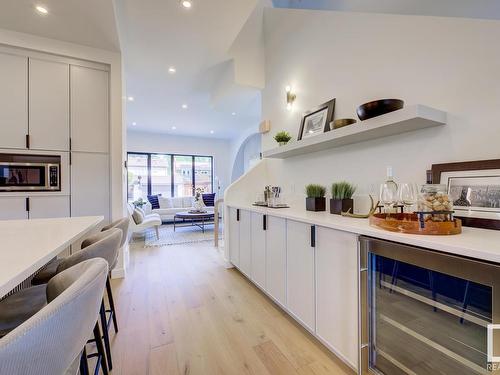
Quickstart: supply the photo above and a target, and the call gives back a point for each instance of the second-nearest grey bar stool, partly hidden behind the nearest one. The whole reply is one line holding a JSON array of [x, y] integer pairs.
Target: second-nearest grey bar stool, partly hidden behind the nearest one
[[101, 245]]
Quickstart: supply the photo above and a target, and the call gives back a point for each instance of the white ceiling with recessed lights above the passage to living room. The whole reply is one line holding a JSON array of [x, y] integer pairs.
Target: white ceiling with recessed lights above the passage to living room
[[156, 34]]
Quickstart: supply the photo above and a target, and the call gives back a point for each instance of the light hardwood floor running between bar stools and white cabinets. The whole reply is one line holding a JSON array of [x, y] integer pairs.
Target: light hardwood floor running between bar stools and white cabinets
[[180, 311]]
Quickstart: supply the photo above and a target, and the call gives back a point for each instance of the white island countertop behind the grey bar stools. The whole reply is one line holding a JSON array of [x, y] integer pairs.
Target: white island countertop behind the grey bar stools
[[26, 245]]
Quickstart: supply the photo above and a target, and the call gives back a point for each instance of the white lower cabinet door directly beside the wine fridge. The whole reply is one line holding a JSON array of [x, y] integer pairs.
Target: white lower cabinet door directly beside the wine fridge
[[337, 292]]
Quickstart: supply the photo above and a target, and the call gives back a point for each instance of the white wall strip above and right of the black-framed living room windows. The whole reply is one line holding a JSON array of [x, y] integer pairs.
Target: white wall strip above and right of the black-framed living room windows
[[218, 148]]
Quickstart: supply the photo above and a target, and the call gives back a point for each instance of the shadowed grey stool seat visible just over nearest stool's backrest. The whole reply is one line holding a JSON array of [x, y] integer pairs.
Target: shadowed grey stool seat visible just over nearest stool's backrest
[[20, 306]]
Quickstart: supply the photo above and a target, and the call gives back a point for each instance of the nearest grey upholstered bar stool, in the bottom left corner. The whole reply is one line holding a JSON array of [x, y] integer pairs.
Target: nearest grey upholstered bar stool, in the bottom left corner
[[53, 339]]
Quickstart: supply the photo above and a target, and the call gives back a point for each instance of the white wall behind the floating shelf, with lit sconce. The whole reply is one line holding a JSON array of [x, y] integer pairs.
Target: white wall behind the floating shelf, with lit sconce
[[447, 63]]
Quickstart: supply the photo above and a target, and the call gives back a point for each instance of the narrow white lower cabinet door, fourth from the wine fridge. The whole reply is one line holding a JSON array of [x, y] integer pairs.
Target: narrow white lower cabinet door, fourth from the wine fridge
[[258, 244]]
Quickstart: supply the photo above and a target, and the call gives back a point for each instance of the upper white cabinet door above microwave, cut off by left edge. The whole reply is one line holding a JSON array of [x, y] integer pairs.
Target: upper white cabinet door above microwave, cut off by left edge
[[14, 101]]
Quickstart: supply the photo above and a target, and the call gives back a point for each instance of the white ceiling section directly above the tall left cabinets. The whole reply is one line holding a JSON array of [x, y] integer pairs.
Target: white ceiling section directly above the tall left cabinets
[[89, 22]]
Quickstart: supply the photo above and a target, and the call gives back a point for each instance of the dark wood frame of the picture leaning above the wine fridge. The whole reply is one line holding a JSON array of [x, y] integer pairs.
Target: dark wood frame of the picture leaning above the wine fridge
[[477, 165]]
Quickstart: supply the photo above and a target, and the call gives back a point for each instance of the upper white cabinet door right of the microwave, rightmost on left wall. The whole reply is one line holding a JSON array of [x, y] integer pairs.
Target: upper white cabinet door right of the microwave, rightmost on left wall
[[89, 109]]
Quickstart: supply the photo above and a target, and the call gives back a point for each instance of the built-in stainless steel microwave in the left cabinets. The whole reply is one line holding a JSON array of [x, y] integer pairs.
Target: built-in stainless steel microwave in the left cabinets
[[24, 173]]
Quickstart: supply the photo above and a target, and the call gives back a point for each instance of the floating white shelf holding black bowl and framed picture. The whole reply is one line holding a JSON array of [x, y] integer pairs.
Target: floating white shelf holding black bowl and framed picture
[[407, 119]]
